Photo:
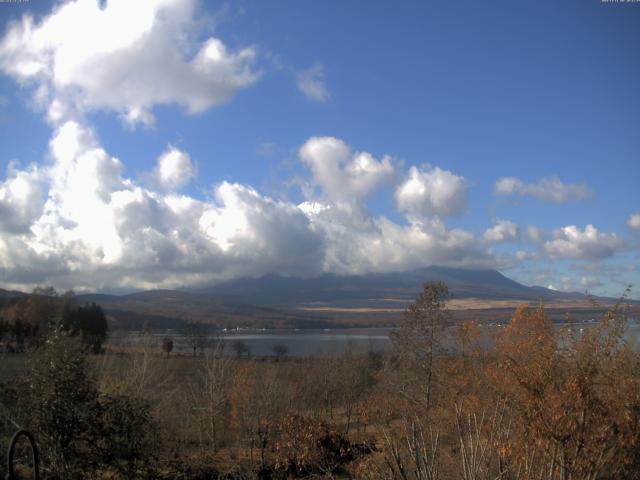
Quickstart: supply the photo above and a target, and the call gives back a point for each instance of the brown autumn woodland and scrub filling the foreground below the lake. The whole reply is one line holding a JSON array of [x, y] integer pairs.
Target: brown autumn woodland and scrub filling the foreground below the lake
[[544, 403]]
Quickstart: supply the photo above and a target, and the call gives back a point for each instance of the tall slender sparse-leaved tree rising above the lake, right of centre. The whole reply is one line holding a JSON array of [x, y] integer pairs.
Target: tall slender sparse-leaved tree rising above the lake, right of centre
[[418, 340]]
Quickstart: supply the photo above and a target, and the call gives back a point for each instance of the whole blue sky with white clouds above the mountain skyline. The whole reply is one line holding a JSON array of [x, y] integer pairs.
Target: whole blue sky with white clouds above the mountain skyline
[[177, 143]]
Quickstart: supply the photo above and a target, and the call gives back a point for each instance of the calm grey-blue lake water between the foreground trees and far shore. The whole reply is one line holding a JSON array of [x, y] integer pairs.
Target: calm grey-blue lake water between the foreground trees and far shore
[[306, 342]]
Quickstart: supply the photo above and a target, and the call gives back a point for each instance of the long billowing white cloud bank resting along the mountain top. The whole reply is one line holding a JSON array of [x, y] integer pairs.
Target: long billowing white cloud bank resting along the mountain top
[[89, 226]]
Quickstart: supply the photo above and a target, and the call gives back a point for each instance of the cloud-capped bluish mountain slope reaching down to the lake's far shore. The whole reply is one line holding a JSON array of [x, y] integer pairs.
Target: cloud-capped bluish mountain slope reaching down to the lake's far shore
[[275, 301]]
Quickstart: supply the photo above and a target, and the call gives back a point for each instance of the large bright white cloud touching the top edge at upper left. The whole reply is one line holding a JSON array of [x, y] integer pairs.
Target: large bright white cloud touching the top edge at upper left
[[124, 56]]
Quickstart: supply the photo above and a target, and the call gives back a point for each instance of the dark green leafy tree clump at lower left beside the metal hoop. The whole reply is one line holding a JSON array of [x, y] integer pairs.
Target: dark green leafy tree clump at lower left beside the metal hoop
[[80, 429]]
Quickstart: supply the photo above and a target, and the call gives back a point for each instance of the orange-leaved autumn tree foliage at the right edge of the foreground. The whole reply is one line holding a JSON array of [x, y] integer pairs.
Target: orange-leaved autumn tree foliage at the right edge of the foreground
[[574, 398]]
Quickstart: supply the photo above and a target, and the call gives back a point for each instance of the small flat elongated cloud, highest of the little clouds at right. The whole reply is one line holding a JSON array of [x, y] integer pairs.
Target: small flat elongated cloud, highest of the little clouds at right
[[549, 189]]
